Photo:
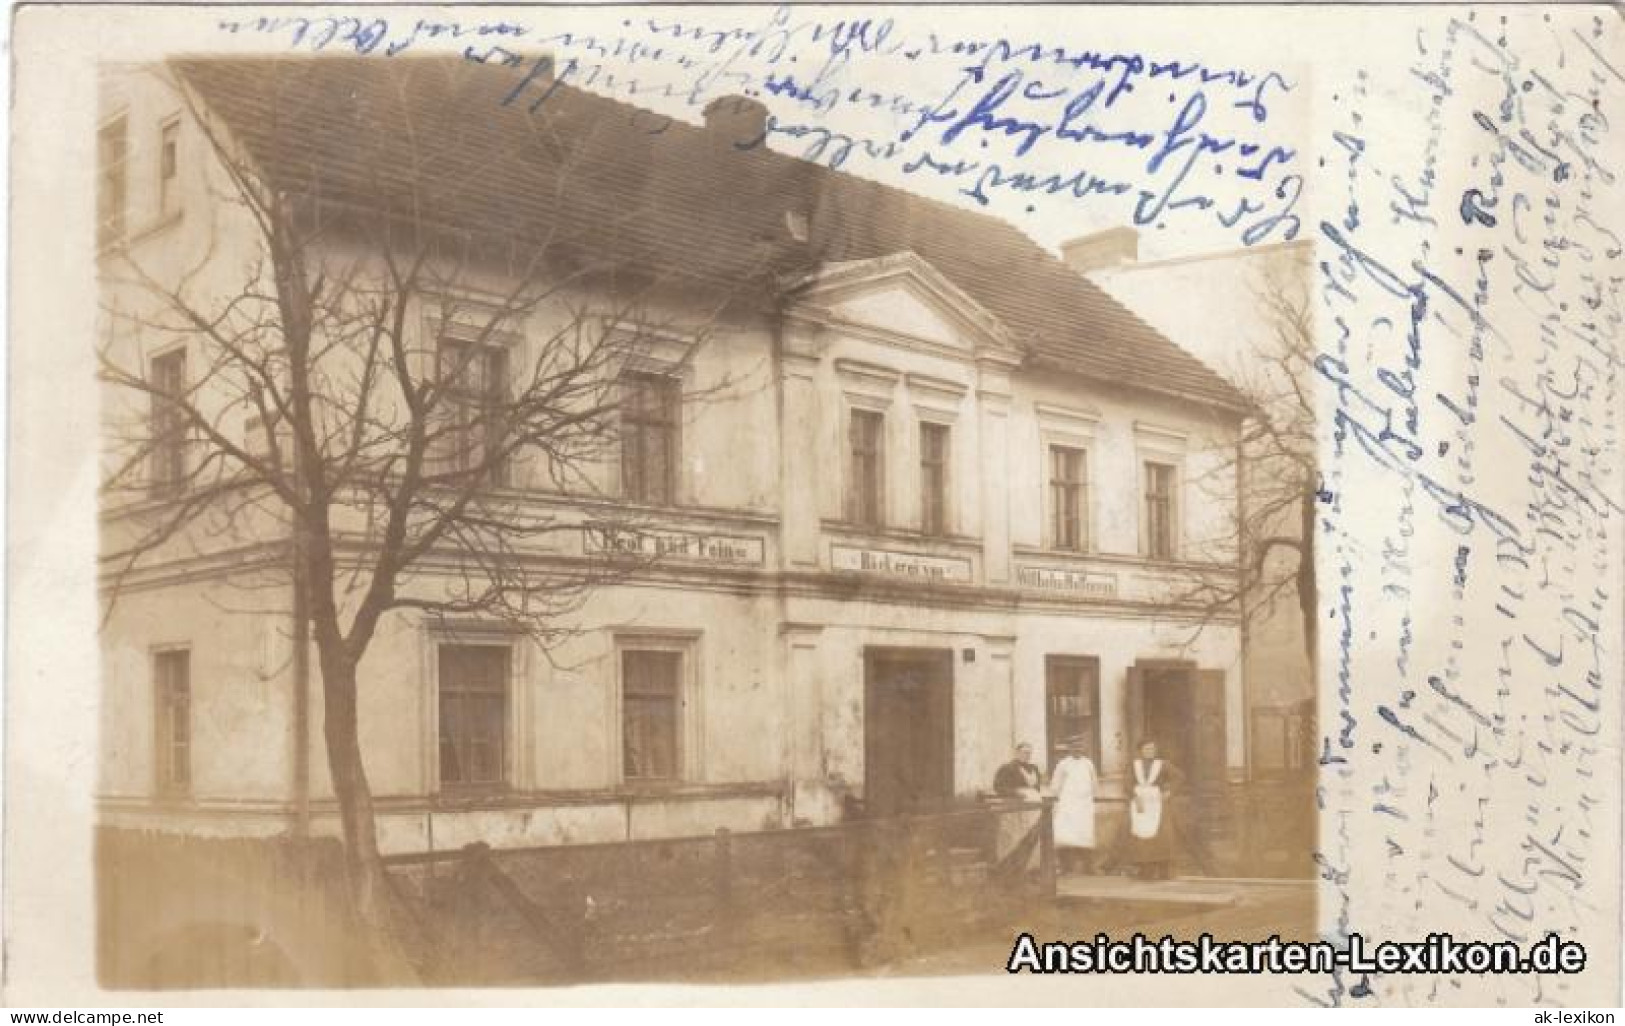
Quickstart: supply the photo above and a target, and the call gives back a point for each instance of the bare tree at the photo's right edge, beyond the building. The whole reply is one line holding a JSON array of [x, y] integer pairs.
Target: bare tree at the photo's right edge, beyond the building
[[1275, 474]]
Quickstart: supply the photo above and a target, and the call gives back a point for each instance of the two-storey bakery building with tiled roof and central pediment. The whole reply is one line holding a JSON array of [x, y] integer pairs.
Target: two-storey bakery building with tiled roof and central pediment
[[943, 495]]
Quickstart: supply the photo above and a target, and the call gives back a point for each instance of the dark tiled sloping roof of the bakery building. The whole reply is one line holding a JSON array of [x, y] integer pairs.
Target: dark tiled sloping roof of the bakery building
[[602, 180]]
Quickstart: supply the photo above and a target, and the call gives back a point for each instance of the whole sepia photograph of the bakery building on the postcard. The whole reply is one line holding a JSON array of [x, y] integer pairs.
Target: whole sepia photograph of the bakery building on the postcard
[[568, 544]]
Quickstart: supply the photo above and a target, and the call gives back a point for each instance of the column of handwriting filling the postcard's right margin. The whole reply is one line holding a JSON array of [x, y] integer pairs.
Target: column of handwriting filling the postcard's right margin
[[1468, 274]]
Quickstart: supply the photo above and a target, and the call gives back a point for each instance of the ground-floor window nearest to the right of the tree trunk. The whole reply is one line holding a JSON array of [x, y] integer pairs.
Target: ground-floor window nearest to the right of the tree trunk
[[474, 715]]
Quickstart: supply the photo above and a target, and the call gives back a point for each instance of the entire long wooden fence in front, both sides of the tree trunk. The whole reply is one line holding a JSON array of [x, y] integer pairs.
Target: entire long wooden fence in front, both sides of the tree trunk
[[178, 911]]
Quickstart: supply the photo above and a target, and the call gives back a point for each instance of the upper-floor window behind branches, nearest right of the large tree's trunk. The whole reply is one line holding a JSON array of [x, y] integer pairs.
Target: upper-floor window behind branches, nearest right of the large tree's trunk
[[475, 381]]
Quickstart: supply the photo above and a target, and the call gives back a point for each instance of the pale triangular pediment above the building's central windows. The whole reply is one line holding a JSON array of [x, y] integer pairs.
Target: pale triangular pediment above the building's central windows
[[899, 297]]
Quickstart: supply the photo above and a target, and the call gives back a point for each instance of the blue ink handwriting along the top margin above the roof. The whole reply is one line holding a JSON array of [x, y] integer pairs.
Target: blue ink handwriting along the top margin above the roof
[[1041, 126]]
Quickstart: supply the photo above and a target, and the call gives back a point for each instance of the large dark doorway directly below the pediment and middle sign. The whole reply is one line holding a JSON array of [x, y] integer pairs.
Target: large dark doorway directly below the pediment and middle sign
[[908, 731]]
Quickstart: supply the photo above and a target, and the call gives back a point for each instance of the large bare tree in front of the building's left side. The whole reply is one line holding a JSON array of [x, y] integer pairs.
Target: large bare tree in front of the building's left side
[[373, 391]]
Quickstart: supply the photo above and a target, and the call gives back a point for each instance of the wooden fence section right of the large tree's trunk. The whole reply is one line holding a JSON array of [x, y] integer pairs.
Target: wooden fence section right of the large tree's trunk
[[779, 903]]
